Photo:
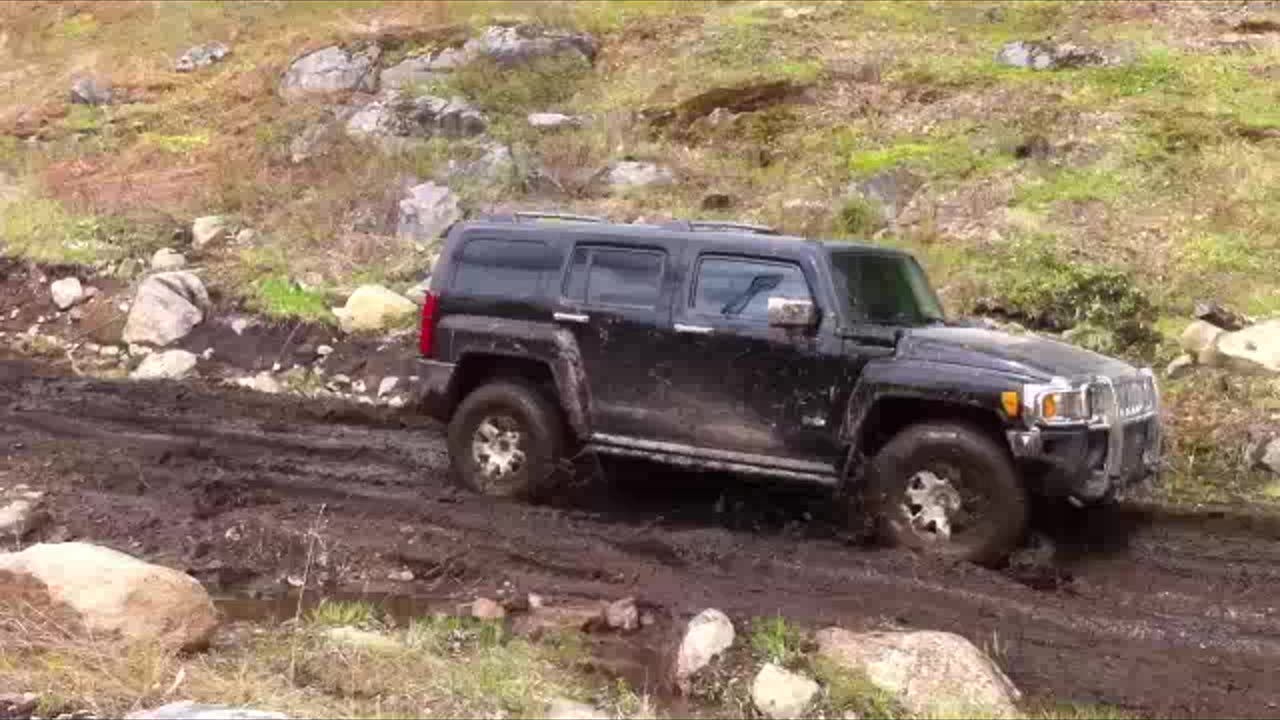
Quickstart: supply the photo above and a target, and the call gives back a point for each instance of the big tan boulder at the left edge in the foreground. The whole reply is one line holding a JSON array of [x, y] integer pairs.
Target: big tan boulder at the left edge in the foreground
[[109, 594]]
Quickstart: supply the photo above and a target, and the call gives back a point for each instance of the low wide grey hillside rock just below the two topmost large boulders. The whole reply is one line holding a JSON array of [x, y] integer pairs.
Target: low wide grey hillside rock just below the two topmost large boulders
[[392, 115]]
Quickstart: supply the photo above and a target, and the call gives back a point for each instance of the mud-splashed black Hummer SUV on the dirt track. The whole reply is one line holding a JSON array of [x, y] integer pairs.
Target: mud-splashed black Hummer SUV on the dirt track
[[732, 348]]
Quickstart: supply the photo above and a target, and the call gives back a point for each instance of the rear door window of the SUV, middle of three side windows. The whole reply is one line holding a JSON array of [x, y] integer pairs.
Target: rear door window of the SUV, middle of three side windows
[[615, 277]]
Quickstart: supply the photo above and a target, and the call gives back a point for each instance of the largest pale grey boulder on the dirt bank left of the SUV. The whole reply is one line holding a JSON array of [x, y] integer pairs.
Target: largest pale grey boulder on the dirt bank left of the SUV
[[167, 308]]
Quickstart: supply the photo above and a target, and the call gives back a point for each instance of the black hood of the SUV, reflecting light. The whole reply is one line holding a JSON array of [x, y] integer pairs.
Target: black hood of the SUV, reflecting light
[[1032, 357]]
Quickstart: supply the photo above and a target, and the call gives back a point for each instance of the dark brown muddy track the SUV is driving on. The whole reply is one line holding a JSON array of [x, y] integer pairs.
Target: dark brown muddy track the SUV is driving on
[[1158, 617]]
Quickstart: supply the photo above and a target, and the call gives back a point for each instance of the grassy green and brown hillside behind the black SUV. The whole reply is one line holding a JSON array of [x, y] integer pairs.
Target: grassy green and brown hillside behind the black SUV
[[1109, 199]]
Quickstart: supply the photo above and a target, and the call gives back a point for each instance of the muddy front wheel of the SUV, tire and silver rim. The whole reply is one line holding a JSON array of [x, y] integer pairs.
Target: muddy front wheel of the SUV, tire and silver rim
[[985, 512]]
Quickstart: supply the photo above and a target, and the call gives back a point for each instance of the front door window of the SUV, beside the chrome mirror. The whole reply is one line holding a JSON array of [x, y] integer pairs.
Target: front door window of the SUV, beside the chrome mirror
[[740, 288]]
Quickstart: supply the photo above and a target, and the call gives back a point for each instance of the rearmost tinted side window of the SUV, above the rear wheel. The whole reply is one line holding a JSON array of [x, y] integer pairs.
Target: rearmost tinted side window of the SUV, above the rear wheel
[[508, 268]]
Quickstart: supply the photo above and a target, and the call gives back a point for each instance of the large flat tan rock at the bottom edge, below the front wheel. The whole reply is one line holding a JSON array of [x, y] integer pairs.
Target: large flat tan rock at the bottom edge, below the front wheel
[[930, 673]]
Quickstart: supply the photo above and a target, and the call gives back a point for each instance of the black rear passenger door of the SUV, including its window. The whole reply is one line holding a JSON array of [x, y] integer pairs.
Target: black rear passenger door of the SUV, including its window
[[618, 302]]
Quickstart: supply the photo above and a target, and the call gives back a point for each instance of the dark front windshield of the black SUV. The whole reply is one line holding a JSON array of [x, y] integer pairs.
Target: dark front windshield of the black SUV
[[888, 290]]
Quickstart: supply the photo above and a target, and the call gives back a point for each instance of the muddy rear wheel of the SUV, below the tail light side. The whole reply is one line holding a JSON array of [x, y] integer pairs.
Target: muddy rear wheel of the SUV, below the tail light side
[[508, 407]]
